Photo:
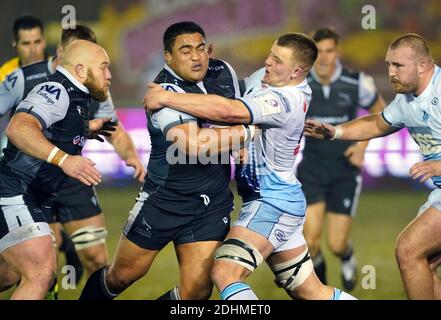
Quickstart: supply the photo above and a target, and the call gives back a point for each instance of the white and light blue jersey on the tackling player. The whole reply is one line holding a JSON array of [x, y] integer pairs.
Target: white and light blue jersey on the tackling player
[[280, 114]]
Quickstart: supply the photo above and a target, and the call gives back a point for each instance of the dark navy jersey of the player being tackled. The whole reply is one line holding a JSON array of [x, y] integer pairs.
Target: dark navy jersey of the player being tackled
[[196, 178]]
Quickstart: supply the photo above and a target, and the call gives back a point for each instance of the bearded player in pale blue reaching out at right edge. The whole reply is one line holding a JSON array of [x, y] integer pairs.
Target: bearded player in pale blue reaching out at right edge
[[417, 81]]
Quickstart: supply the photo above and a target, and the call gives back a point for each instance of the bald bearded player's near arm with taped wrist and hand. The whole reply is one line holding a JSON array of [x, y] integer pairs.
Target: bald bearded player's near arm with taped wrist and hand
[[25, 132]]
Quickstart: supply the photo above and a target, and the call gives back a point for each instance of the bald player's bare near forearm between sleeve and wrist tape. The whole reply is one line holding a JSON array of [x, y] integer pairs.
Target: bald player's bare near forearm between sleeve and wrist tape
[[25, 132]]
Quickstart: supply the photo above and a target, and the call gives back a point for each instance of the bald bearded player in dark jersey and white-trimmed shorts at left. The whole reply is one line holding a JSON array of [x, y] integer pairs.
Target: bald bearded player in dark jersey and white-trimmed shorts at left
[[42, 153]]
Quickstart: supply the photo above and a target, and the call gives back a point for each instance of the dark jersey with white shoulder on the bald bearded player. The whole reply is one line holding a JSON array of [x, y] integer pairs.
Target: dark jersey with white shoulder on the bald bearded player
[[61, 105]]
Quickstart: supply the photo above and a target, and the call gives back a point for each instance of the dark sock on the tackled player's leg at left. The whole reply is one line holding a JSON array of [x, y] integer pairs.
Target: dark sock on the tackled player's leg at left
[[96, 287]]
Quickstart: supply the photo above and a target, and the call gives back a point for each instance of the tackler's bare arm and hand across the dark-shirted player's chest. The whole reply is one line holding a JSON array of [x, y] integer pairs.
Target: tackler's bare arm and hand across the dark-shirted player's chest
[[206, 106]]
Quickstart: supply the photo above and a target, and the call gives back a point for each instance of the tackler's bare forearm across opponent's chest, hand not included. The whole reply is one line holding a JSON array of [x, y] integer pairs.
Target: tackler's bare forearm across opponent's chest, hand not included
[[211, 107]]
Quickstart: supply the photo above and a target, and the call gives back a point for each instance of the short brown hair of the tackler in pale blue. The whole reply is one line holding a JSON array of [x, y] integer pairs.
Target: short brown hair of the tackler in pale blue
[[304, 48]]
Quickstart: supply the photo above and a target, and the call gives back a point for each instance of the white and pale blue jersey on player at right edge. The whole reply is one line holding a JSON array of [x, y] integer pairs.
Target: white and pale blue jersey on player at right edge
[[422, 117]]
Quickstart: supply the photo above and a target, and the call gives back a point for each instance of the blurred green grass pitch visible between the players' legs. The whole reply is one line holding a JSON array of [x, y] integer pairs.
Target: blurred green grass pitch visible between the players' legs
[[381, 216]]
